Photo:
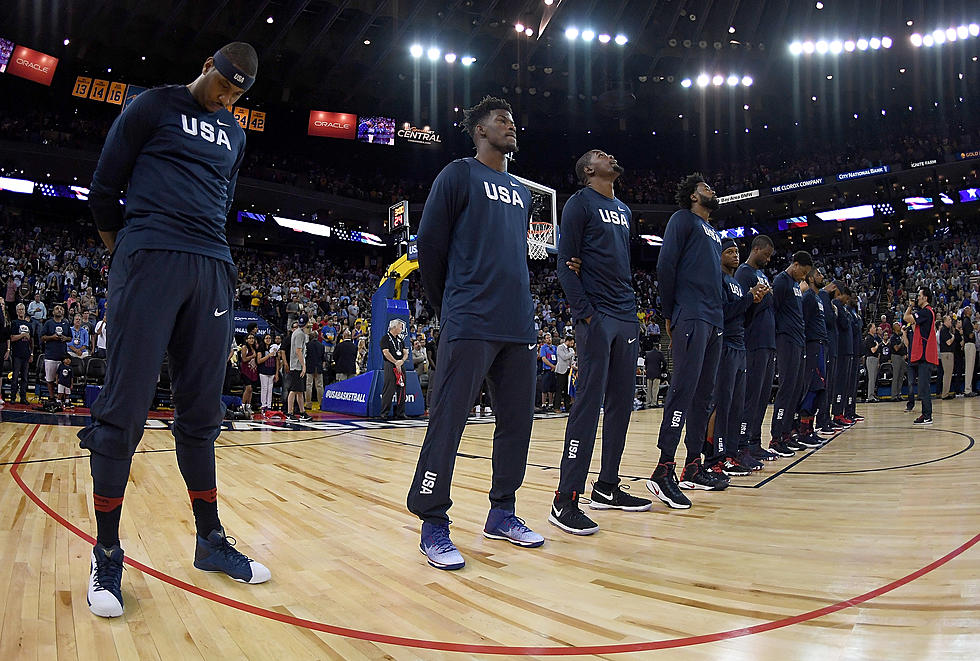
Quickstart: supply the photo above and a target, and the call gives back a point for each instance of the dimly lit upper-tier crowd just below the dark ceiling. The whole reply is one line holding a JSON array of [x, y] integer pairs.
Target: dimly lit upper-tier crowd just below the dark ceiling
[[774, 160]]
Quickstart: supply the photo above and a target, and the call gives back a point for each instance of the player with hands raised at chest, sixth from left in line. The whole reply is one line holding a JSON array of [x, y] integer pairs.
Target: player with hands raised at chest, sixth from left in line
[[760, 346]]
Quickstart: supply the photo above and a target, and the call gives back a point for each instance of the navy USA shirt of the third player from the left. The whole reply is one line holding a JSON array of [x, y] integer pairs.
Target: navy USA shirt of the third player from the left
[[596, 229]]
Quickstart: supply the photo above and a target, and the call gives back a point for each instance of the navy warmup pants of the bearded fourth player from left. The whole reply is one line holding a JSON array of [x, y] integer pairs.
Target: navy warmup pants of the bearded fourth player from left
[[695, 349]]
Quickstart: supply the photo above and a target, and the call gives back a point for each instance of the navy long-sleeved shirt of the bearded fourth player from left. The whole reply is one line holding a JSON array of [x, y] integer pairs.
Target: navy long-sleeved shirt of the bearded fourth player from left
[[689, 270]]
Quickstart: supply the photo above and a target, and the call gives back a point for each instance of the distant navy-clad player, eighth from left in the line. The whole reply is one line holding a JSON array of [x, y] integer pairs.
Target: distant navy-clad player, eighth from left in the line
[[814, 385]]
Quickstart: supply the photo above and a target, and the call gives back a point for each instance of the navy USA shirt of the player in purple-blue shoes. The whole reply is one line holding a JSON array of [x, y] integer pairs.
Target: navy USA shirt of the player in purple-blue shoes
[[472, 245]]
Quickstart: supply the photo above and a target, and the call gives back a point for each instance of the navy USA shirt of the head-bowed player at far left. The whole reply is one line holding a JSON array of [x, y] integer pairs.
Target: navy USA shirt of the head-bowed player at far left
[[181, 164]]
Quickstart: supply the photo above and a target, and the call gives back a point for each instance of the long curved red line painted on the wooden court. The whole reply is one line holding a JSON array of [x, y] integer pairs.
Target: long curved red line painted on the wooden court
[[420, 643]]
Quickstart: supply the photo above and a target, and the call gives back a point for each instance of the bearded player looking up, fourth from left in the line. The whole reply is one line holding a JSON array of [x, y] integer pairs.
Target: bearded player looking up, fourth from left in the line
[[689, 272]]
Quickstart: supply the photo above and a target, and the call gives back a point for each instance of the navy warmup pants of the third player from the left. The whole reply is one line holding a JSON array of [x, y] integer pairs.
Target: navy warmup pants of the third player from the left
[[607, 351]]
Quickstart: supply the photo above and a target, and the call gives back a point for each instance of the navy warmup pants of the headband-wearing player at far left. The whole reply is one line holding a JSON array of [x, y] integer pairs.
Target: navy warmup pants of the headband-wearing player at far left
[[164, 301]]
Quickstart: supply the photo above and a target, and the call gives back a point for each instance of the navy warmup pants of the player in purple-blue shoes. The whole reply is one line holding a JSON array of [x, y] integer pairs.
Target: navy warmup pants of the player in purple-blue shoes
[[463, 365]]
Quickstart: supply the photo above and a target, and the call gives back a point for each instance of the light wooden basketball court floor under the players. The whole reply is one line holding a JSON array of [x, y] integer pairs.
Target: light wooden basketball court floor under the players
[[863, 549]]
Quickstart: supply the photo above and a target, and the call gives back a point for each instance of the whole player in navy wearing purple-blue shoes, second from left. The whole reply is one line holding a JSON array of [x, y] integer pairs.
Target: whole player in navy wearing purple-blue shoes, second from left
[[472, 244]]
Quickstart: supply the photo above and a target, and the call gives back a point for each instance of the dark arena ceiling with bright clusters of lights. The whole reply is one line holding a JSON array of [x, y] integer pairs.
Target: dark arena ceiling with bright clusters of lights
[[353, 55]]
